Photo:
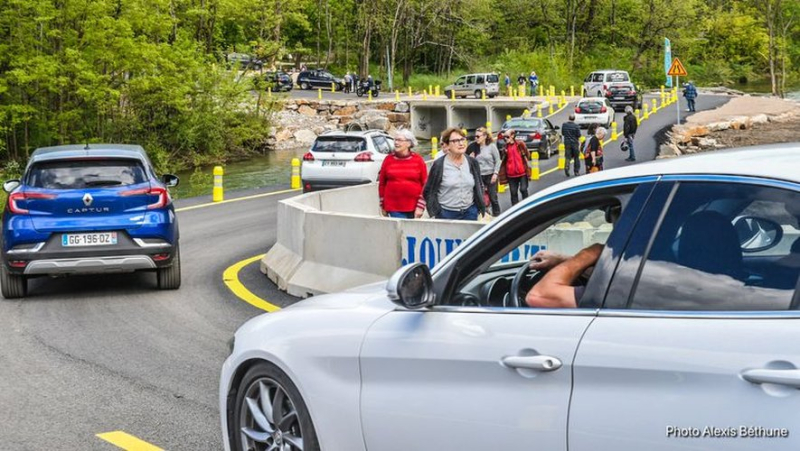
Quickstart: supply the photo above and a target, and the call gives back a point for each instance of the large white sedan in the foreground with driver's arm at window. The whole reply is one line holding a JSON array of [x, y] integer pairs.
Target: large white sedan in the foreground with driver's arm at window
[[685, 336]]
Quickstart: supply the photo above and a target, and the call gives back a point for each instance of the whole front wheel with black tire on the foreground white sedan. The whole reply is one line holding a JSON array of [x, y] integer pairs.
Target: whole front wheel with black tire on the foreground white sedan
[[266, 381]]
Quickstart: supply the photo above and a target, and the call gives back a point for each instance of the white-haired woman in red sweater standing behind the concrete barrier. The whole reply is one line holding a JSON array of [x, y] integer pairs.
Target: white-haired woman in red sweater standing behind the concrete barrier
[[402, 177]]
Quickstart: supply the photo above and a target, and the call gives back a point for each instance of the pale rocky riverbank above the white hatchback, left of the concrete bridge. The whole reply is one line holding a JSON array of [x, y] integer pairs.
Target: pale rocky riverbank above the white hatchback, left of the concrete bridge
[[302, 120]]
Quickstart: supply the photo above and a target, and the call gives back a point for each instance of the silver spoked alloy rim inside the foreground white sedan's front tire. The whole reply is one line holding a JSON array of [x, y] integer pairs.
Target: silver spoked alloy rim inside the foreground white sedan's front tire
[[269, 418]]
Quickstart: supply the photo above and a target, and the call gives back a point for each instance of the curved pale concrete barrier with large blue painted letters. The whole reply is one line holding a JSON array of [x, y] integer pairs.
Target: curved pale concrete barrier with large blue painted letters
[[334, 240]]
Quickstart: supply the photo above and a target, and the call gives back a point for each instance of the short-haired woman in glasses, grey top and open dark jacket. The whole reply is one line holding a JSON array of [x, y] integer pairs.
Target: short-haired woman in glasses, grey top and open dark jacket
[[454, 189]]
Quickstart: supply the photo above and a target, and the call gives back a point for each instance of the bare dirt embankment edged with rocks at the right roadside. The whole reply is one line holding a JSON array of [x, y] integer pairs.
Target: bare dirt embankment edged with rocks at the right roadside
[[744, 121]]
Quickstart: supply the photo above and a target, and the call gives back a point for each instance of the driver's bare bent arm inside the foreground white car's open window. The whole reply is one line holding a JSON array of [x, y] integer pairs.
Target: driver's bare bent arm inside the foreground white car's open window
[[555, 290]]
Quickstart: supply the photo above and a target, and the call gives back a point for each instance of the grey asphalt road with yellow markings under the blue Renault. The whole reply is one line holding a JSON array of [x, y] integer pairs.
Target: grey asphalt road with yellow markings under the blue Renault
[[90, 355]]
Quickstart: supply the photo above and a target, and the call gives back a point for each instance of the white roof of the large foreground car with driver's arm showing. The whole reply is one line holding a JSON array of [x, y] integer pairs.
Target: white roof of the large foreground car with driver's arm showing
[[775, 161]]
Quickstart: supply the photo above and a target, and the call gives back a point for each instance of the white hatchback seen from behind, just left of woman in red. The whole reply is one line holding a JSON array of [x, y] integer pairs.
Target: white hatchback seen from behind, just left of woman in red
[[345, 158]]
